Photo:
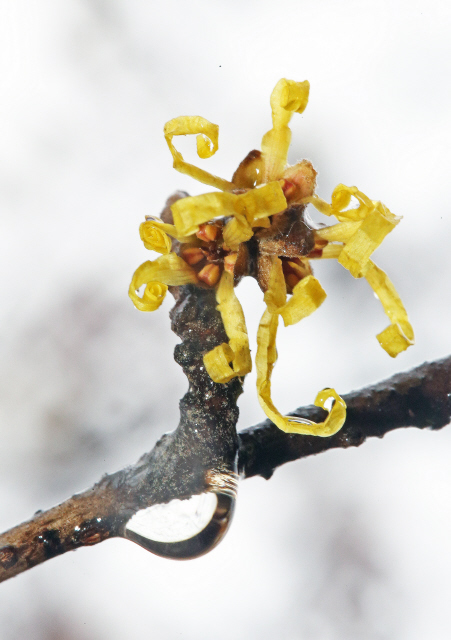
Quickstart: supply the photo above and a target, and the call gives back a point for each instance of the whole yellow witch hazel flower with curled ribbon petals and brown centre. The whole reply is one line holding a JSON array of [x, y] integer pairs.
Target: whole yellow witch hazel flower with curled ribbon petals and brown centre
[[255, 225]]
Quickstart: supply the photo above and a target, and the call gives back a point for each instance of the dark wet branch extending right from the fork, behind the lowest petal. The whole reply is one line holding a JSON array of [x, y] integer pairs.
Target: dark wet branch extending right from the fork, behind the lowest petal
[[419, 398]]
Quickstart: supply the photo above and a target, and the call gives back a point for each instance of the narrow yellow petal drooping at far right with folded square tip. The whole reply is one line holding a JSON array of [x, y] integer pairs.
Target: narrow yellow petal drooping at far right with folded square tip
[[398, 336]]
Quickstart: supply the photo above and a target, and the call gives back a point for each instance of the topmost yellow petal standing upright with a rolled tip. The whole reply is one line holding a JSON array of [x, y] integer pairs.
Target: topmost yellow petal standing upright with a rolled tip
[[287, 97]]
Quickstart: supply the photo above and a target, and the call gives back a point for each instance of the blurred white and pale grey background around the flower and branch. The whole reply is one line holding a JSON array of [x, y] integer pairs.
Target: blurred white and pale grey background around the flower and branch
[[348, 545]]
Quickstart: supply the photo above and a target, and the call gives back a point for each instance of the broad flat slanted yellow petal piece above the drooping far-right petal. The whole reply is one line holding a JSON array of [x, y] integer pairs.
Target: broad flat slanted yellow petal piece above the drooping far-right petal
[[358, 249]]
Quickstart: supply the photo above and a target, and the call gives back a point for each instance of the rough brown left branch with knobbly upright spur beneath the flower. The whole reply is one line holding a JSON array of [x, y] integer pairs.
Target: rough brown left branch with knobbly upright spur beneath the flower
[[178, 466]]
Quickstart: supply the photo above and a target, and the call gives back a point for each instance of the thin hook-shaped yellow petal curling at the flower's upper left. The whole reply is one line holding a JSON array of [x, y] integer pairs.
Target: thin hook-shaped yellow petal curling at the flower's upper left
[[207, 145]]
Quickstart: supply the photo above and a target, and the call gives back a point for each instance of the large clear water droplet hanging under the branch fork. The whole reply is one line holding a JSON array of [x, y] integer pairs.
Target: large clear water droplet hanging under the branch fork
[[185, 529]]
